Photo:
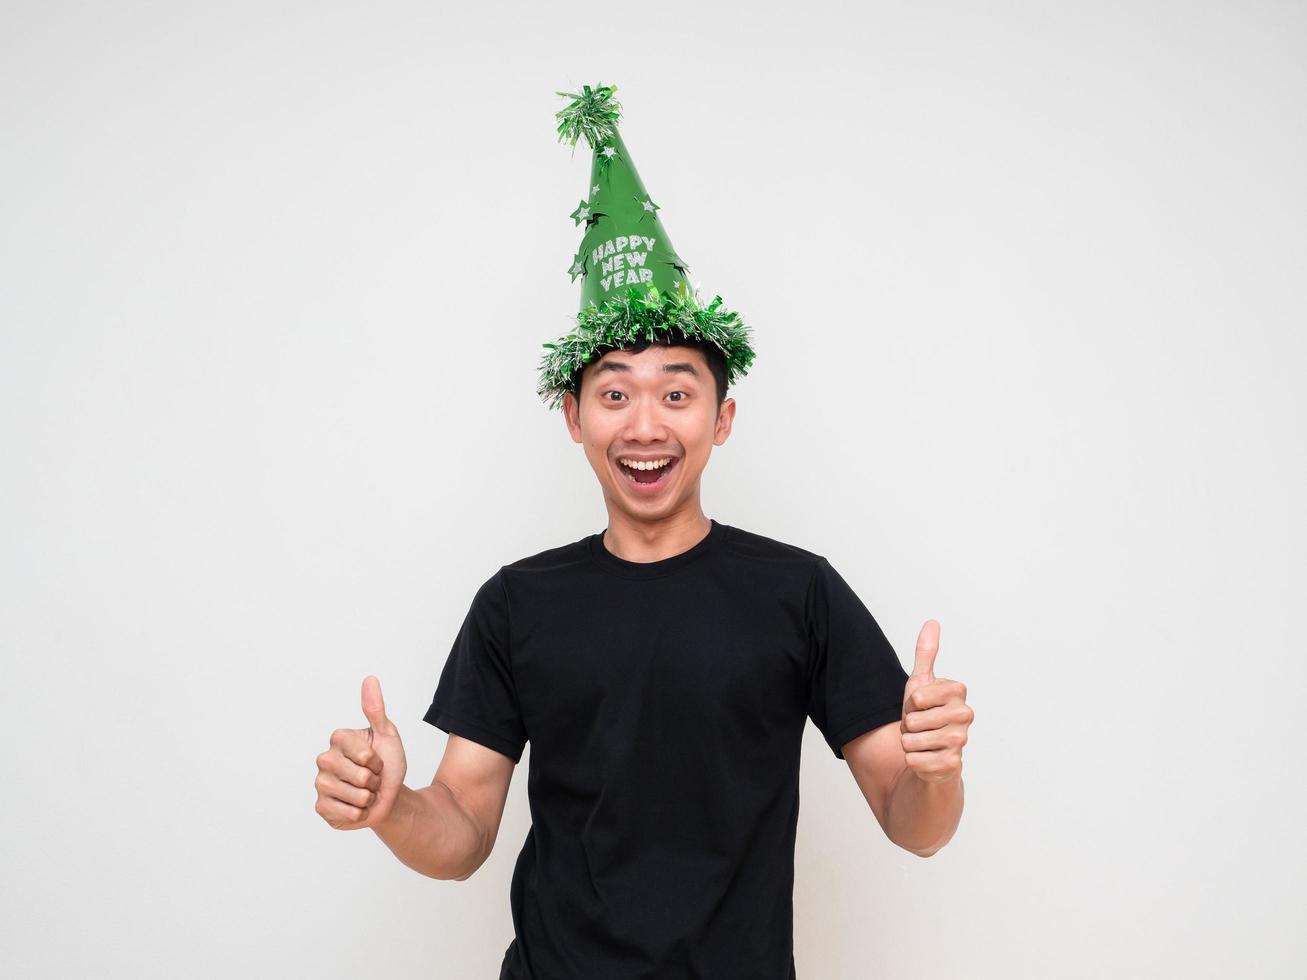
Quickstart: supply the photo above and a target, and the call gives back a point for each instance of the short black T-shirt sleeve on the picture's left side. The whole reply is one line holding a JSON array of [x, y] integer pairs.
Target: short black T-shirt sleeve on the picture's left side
[[475, 697]]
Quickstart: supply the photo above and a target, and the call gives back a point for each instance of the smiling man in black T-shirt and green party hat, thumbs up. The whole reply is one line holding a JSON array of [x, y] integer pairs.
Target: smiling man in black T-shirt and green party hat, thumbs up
[[662, 670]]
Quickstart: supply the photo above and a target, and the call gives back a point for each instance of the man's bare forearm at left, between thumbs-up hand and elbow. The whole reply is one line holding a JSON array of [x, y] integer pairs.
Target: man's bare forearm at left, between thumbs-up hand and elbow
[[433, 834]]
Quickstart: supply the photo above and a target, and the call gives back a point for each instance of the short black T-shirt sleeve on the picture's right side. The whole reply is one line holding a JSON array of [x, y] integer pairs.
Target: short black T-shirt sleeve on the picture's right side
[[855, 681]]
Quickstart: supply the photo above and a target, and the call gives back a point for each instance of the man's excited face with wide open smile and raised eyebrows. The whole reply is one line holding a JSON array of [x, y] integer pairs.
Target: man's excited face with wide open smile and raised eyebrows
[[661, 404]]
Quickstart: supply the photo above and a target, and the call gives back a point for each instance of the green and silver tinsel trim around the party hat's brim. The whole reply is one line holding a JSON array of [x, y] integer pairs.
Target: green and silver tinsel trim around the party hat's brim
[[637, 316]]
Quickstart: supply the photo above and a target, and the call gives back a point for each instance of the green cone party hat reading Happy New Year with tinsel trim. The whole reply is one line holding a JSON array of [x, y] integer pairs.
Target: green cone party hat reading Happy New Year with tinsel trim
[[635, 286]]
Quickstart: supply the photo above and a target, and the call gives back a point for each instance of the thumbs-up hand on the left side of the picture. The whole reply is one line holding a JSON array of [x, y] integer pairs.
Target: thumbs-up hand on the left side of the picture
[[361, 774]]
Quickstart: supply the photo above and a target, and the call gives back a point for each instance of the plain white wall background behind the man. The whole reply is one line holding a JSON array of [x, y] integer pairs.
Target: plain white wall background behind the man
[[1028, 295]]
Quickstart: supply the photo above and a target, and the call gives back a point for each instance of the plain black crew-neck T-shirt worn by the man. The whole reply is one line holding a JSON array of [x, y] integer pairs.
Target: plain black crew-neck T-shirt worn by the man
[[666, 705]]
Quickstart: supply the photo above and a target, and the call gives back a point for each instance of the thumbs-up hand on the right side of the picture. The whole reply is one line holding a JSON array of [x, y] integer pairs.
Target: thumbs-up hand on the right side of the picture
[[936, 715]]
